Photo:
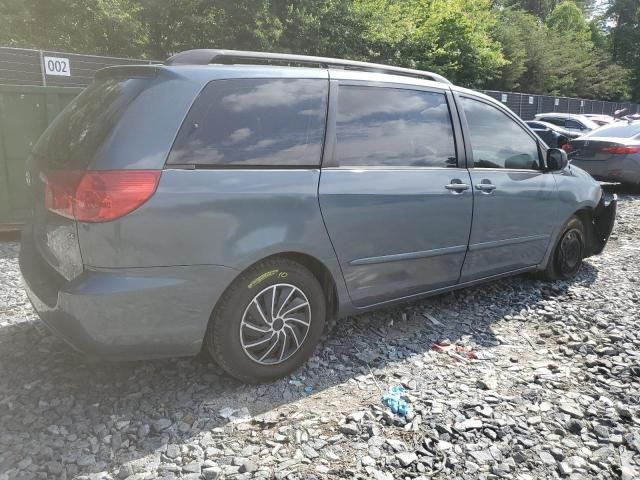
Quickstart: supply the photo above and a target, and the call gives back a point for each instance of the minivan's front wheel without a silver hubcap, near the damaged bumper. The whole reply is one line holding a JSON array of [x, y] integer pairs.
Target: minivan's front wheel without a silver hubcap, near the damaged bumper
[[566, 259]]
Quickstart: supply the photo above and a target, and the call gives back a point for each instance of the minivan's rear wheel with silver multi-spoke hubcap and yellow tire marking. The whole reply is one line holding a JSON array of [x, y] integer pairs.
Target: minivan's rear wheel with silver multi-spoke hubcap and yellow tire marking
[[268, 322]]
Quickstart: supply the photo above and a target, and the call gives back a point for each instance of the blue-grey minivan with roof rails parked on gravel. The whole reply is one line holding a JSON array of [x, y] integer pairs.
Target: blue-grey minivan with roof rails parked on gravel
[[241, 202]]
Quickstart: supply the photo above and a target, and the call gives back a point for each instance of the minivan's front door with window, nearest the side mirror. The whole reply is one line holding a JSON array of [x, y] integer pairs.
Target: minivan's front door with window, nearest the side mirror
[[514, 200]]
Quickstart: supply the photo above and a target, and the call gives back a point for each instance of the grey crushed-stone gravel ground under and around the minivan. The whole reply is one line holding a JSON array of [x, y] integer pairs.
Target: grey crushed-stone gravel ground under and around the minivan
[[551, 390]]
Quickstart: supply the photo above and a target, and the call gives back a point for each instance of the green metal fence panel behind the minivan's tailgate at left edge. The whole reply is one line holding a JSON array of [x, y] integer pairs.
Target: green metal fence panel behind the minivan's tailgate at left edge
[[25, 112]]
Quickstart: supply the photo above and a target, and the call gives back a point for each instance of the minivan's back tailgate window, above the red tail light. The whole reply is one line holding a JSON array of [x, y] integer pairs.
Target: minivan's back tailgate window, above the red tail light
[[83, 126]]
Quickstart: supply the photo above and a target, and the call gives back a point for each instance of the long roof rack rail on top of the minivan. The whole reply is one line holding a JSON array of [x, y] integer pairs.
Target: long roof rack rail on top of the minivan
[[207, 56]]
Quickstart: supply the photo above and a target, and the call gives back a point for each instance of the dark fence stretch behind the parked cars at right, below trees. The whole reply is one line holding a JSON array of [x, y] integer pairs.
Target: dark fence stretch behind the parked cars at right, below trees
[[527, 105]]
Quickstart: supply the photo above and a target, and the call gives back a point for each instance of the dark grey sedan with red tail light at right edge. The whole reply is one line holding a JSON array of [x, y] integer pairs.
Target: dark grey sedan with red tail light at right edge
[[610, 154]]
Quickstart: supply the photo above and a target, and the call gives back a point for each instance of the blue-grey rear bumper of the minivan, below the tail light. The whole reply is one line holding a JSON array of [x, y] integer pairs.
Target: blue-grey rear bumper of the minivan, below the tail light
[[125, 314]]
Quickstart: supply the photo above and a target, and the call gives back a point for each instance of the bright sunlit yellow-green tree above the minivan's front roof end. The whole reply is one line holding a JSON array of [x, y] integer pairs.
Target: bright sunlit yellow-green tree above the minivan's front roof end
[[449, 37]]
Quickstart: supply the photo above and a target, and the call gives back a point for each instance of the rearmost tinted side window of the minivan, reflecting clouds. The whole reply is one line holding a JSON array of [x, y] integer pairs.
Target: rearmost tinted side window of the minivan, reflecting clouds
[[255, 122]]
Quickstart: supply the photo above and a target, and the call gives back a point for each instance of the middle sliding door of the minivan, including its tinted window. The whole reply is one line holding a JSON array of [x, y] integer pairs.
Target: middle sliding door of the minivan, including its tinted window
[[395, 202]]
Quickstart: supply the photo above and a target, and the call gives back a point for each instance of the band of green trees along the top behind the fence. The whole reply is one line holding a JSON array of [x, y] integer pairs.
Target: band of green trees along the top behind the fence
[[537, 46]]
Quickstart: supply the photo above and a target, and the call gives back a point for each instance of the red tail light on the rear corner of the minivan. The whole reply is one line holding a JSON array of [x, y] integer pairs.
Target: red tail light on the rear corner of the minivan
[[98, 196]]
